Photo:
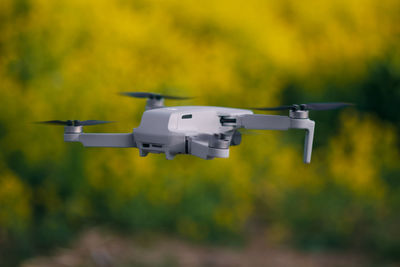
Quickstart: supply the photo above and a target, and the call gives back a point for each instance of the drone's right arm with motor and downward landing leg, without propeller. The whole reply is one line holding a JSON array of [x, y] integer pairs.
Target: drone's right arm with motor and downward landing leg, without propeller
[[296, 120]]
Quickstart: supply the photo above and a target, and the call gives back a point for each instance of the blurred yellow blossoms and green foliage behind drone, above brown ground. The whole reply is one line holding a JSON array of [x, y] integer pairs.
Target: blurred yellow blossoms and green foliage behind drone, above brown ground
[[69, 59]]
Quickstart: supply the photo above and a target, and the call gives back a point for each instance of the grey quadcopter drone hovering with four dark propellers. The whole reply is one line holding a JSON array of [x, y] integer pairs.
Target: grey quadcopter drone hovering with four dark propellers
[[203, 131]]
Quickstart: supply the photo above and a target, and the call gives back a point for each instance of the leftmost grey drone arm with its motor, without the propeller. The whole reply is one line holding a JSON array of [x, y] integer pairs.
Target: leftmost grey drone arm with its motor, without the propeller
[[75, 134]]
